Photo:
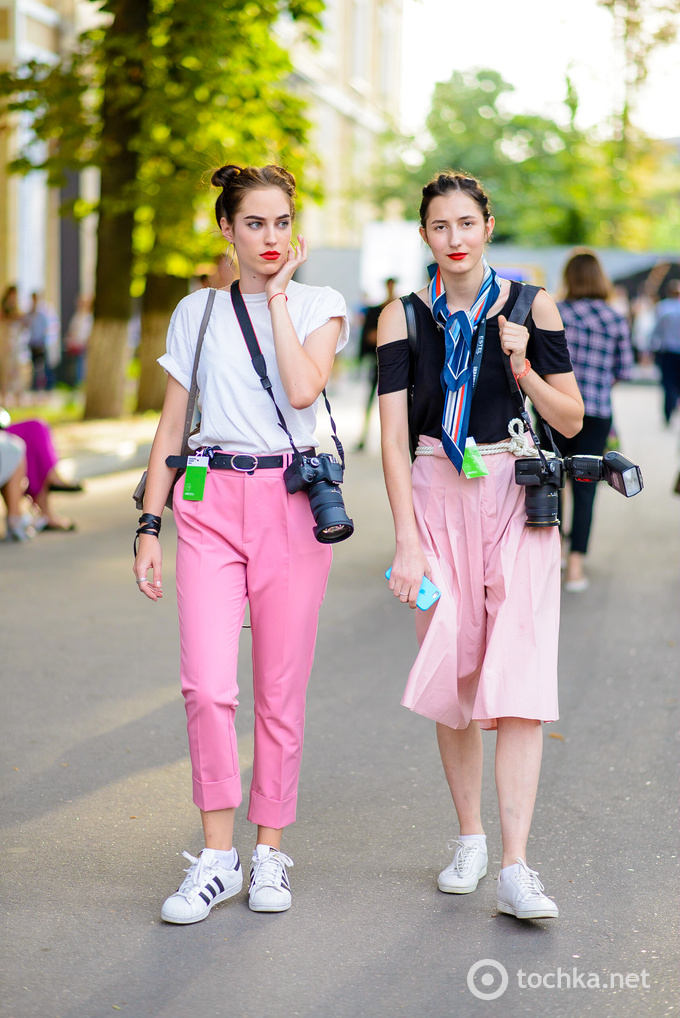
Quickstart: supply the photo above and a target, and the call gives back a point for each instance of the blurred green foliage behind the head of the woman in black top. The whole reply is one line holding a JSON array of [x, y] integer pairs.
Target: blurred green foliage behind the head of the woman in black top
[[550, 183]]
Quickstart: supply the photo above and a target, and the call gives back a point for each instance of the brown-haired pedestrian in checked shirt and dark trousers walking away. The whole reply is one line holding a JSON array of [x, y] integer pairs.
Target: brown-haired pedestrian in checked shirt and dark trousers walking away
[[602, 354]]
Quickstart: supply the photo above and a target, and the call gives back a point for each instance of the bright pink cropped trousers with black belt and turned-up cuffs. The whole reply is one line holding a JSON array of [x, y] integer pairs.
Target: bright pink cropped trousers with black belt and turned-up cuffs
[[248, 540]]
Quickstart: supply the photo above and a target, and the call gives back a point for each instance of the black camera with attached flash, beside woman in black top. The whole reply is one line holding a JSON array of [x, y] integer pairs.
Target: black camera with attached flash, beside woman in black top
[[543, 479]]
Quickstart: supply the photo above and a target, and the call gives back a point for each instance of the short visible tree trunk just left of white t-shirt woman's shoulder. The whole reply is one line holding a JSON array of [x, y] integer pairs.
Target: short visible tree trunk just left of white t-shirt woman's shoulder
[[161, 297]]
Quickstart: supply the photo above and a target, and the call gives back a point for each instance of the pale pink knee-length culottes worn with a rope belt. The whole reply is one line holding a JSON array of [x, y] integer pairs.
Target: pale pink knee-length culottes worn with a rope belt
[[489, 646]]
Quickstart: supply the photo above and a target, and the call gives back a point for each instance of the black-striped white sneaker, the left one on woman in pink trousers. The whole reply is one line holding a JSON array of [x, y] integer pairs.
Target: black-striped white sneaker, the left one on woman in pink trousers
[[207, 883]]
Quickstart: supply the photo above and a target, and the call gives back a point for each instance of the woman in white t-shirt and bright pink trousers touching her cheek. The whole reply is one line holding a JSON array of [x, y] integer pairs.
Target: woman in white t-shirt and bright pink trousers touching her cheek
[[248, 539]]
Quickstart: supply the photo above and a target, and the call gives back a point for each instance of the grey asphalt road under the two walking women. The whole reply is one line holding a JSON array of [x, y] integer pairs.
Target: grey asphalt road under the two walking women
[[96, 791]]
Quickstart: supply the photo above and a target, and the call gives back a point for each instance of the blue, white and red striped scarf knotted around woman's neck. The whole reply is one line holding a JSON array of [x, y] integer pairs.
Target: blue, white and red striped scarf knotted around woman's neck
[[458, 373]]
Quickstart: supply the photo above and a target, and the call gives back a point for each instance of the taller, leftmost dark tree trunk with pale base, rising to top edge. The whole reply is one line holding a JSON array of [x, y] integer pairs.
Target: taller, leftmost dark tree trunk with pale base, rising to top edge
[[123, 88]]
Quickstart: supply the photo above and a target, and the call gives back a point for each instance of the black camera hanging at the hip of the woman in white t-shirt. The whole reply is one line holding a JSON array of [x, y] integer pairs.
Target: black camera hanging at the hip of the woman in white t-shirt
[[321, 477]]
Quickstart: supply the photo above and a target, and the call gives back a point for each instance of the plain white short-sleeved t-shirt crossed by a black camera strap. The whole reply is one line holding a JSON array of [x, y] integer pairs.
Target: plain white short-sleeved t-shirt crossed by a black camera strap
[[237, 414]]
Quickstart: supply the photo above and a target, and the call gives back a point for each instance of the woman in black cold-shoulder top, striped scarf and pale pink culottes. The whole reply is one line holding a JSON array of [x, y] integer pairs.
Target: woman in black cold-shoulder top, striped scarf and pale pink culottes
[[488, 656]]
